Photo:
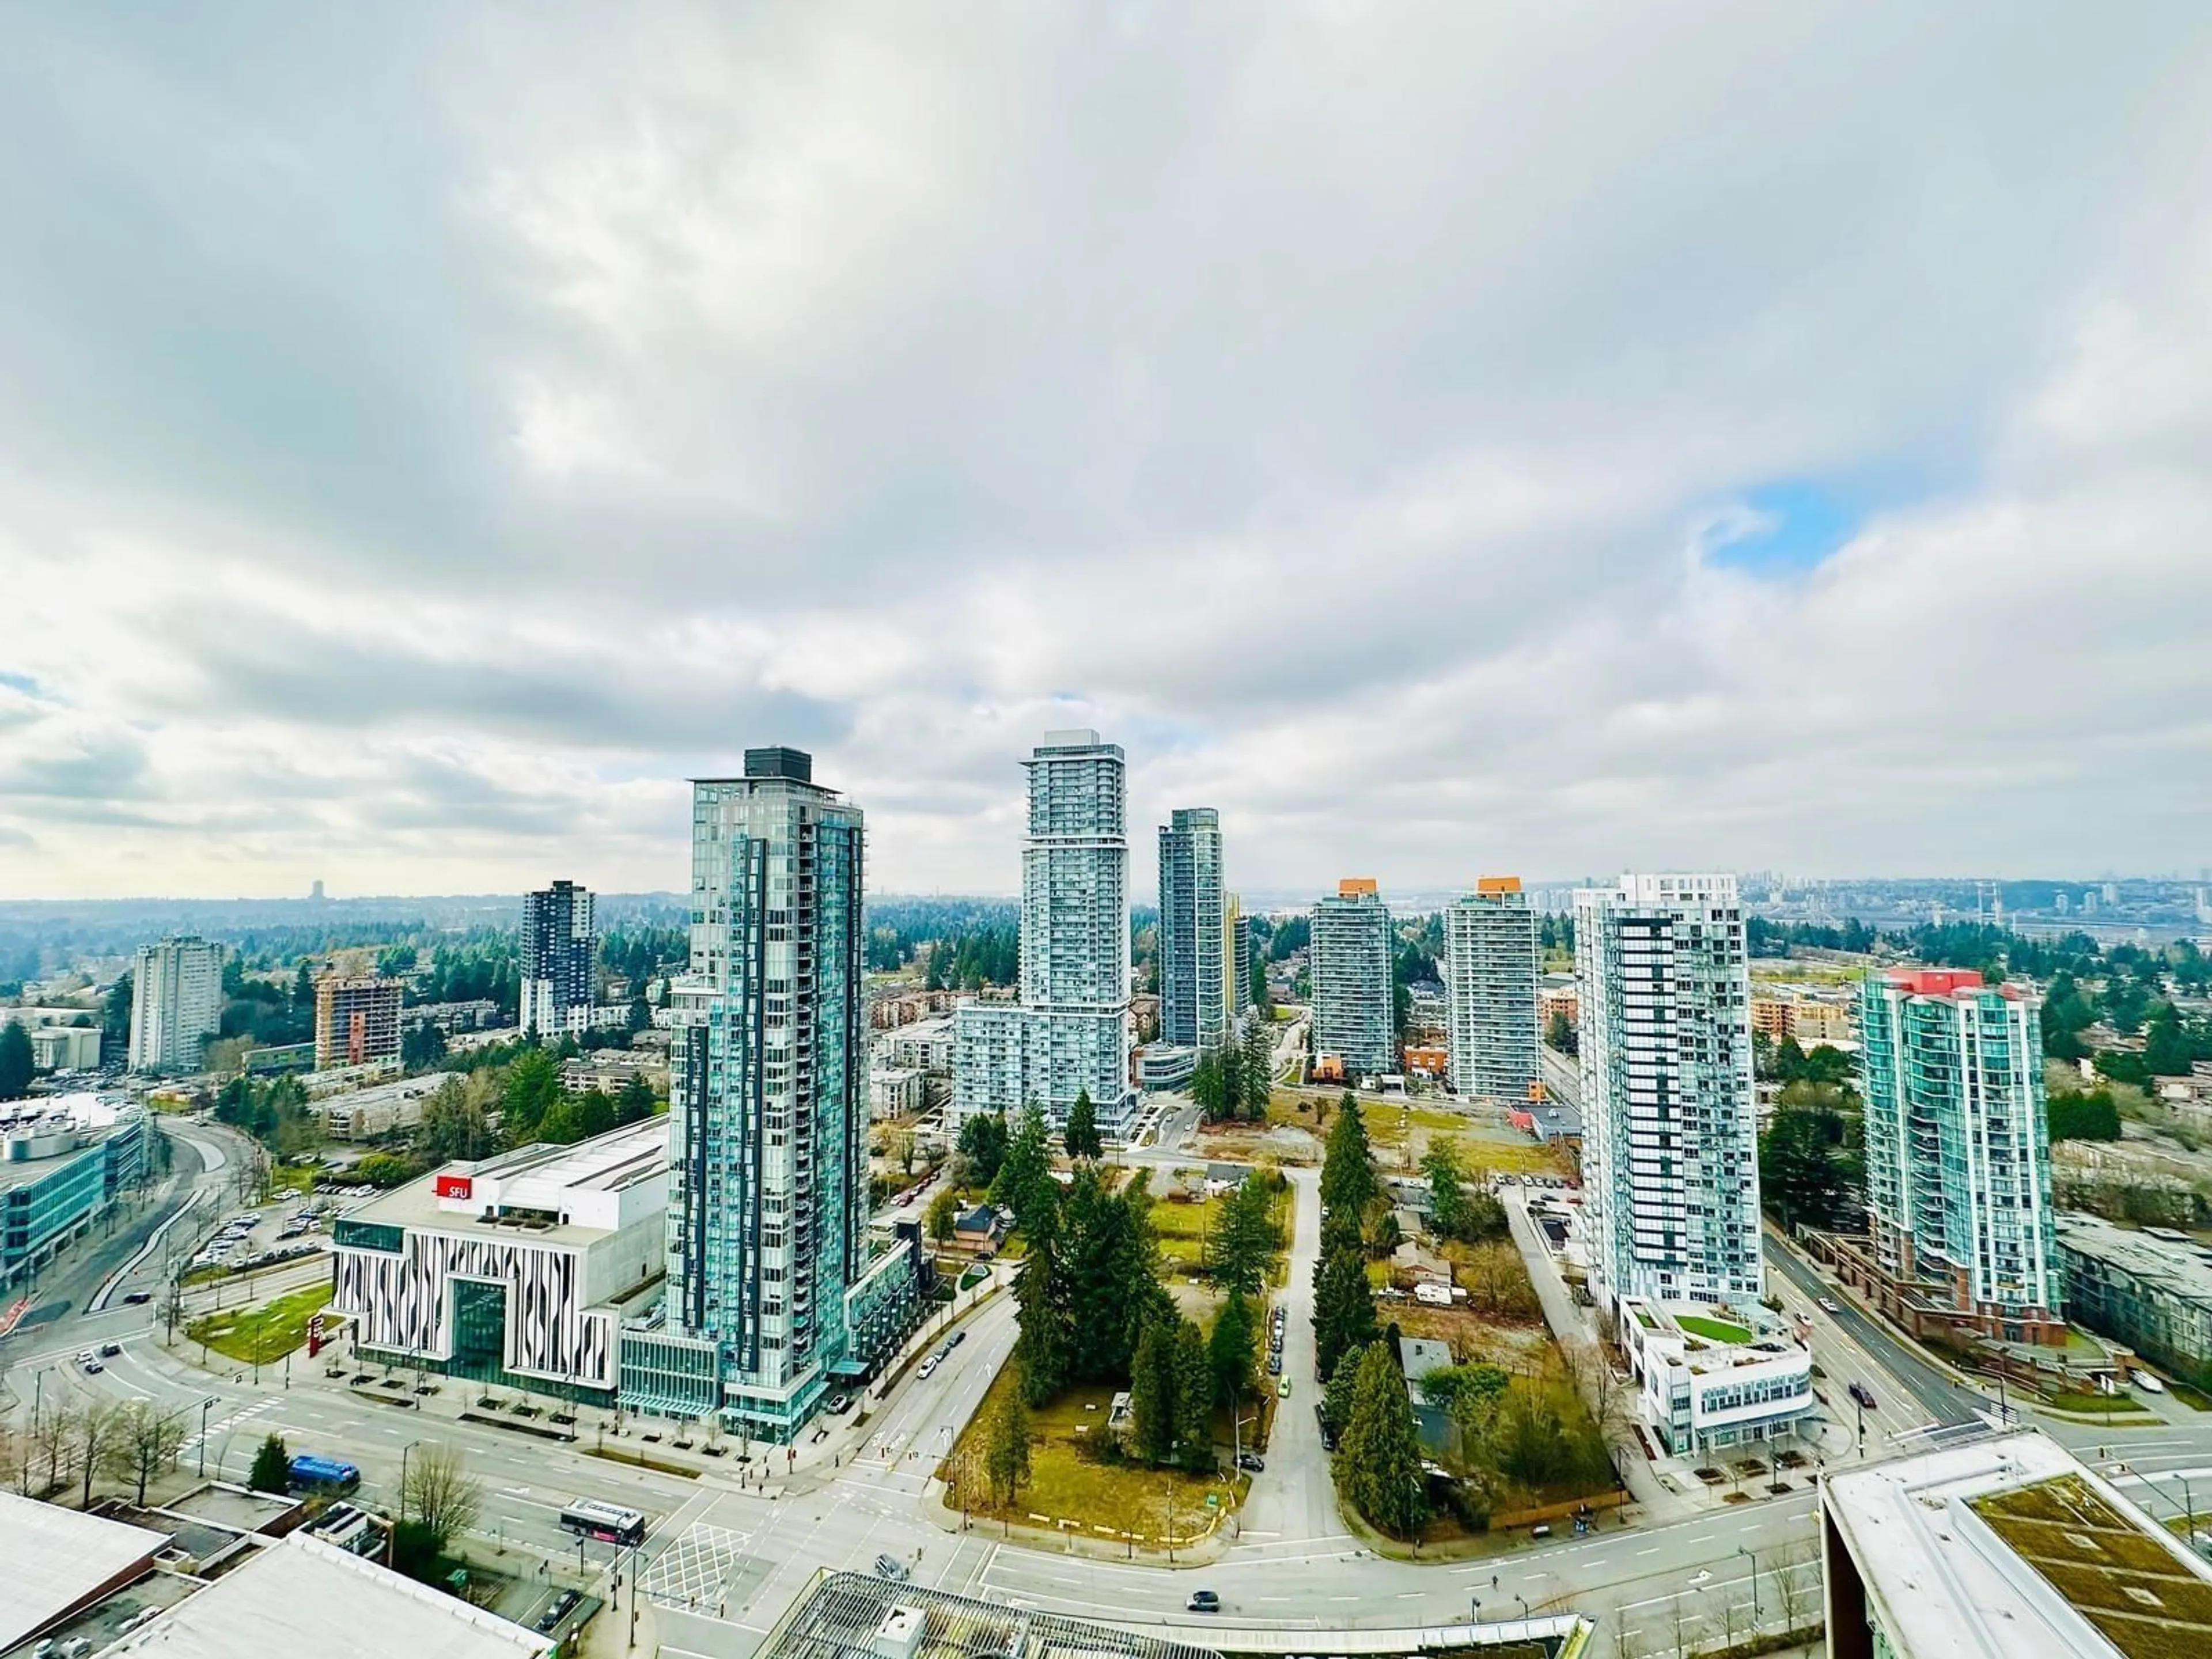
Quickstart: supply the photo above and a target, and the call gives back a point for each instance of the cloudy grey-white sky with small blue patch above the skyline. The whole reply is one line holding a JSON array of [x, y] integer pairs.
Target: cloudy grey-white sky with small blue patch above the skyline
[[1448, 439]]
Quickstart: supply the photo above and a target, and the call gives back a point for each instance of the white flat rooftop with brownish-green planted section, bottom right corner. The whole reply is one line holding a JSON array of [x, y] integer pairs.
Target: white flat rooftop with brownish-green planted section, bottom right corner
[[2010, 1550]]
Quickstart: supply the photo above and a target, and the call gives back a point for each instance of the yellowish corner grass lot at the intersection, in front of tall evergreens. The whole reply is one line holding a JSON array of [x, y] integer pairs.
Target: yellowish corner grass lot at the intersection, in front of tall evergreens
[[1070, 1488]]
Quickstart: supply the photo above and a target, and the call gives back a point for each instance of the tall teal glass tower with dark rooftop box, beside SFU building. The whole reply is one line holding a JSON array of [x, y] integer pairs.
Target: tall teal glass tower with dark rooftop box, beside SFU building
[[769, 1092]]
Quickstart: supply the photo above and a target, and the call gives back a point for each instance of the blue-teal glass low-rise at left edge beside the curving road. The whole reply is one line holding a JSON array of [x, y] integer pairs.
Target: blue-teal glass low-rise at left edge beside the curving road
[[63, 1165]]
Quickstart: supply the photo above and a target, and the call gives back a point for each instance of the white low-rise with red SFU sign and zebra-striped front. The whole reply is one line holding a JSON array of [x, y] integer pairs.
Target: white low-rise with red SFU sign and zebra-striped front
[[514, 1269]]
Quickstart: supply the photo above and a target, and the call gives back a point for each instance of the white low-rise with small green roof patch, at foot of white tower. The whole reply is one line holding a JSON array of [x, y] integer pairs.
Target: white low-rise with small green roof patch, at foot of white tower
[[1711, 1381]]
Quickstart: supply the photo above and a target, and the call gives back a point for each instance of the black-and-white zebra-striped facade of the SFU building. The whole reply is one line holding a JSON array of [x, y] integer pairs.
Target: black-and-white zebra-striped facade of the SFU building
[[404, 1300]]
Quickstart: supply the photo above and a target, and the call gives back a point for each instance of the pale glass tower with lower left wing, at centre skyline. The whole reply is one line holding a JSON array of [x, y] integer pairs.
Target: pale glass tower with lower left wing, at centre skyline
[[1070, 1034]]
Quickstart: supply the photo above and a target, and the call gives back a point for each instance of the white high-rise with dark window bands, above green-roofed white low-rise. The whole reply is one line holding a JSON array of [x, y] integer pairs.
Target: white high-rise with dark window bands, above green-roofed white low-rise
[[1671, 1149]]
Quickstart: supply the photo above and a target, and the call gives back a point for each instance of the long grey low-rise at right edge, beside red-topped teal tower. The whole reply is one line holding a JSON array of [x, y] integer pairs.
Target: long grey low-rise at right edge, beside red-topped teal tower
[[2147, 1291]]
